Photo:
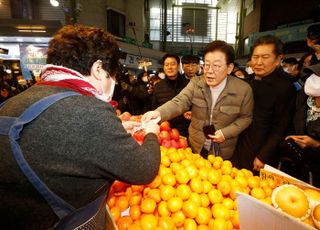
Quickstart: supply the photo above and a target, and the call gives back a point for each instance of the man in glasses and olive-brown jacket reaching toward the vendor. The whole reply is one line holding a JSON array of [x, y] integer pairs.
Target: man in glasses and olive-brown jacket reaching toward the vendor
[[221, 104]]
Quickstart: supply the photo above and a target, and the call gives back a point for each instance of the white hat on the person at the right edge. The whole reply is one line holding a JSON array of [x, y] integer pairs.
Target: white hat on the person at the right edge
[[312, 85]]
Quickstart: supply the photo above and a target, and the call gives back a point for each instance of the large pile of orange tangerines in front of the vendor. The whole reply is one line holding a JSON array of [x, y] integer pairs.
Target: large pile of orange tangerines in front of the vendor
[[189, 192]]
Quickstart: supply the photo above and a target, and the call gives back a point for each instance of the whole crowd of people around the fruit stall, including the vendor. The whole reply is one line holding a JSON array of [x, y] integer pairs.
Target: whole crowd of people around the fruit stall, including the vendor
[[63, 144]]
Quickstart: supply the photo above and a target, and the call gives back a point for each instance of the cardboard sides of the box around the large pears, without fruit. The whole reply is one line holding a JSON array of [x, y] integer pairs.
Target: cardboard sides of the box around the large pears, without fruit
[[254, 214]]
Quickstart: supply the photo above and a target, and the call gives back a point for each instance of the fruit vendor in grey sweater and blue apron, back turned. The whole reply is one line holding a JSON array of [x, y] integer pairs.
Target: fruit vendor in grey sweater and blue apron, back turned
[[59, 160]]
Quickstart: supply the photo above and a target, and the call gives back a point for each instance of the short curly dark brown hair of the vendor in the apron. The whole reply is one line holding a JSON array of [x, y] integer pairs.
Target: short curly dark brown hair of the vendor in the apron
[[77, 47]]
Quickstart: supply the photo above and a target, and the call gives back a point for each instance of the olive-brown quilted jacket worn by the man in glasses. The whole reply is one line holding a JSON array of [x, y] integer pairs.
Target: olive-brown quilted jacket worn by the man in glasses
[[232, 112]]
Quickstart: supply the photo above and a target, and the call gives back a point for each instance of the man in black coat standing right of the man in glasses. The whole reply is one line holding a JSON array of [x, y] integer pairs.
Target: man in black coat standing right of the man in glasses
[[274, 98]]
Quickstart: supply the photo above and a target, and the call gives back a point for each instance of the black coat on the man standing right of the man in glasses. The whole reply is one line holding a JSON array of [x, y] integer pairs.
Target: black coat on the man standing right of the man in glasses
[[274, 99]]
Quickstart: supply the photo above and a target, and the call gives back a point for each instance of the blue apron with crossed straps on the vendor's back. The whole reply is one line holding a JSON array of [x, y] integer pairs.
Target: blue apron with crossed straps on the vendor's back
[[91, 216]]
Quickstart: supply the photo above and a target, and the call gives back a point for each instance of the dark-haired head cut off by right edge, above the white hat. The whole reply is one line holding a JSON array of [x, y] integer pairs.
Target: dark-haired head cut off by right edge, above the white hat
[[313, 41]]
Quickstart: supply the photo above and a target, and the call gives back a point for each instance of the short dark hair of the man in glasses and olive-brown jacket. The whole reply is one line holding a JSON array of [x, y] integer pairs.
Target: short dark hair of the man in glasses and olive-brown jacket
[[223, 47]]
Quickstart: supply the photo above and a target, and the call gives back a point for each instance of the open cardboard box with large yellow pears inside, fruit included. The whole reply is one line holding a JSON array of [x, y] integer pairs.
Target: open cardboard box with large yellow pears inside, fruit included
[[295, 205]]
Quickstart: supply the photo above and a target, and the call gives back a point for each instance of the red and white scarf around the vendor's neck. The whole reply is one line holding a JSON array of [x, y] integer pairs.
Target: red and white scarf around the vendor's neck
[[67, 78]]
